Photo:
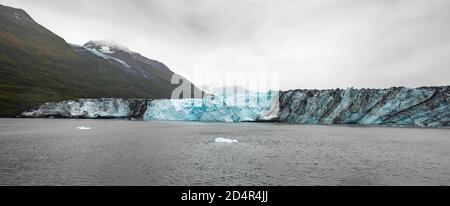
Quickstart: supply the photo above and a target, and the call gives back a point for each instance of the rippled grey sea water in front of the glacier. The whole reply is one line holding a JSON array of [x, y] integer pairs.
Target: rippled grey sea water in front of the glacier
[[121, 152]]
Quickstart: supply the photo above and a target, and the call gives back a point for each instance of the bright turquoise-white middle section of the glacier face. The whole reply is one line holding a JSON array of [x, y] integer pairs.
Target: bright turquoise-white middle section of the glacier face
[[218, 108]]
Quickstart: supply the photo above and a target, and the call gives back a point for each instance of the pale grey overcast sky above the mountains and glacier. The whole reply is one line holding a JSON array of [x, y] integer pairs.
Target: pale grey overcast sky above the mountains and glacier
[[311, 43]]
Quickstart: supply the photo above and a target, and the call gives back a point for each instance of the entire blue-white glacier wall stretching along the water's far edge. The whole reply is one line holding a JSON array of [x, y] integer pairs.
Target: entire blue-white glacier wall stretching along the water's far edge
[[396, 106]]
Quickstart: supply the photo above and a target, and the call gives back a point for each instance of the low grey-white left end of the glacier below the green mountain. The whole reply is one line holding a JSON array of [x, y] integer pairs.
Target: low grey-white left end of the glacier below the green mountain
[[104, 108]]
